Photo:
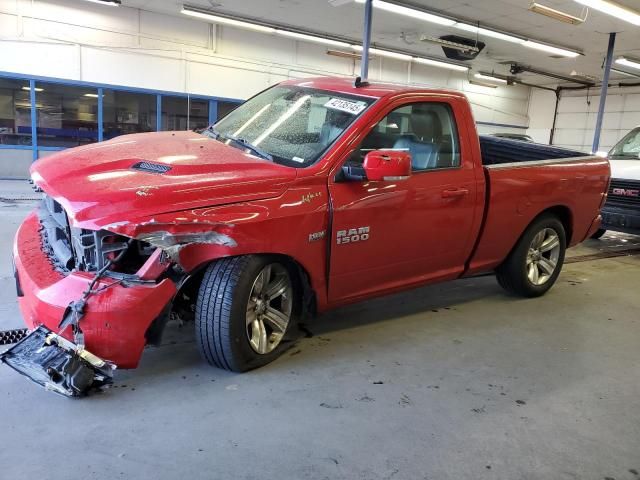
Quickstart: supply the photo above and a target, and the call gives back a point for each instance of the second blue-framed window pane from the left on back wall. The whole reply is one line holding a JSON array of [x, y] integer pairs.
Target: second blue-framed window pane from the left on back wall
[[67, 116]]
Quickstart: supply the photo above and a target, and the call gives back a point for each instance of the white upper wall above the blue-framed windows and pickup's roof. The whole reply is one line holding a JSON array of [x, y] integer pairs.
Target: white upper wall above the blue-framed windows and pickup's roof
[[137, 48]]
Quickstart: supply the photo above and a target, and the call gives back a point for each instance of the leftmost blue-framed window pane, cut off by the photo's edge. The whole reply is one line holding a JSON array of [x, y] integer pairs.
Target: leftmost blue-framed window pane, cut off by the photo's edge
[[15, 112]]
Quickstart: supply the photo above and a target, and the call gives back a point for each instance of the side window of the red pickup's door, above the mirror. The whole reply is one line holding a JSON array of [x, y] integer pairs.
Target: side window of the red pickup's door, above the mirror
[[426, 130]]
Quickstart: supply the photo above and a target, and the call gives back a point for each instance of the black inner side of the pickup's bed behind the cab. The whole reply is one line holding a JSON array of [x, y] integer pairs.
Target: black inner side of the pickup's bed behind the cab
[[497, 151]]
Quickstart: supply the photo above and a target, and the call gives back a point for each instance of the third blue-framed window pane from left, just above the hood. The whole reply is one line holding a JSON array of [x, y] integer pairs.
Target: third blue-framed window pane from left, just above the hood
[[127, 112]]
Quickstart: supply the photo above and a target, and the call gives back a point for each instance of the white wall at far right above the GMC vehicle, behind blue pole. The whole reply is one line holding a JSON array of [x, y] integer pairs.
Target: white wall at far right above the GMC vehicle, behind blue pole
[[576, 119]]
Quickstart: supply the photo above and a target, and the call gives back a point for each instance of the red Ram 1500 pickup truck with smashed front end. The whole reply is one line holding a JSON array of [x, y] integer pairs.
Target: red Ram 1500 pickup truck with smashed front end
[[310, 195]]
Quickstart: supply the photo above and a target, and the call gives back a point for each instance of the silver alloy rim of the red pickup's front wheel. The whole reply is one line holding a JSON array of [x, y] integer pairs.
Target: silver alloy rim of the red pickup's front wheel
[[269, 308]]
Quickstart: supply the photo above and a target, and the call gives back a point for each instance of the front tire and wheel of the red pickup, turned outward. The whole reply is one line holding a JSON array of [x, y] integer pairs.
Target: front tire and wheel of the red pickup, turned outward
[[245, 311]]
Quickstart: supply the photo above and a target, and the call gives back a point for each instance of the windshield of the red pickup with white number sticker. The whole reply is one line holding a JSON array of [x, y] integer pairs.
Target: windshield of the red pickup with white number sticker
[[289, 124]]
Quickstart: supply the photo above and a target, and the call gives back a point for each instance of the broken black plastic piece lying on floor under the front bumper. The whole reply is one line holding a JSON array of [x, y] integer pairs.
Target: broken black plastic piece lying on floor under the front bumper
[[58, 364]]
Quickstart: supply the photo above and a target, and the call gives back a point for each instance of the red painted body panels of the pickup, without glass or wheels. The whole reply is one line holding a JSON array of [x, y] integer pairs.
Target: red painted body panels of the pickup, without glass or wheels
[[424, 229]]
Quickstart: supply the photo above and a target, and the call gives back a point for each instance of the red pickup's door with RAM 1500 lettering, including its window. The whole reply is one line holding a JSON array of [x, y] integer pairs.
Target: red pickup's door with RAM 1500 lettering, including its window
[[387, 235]]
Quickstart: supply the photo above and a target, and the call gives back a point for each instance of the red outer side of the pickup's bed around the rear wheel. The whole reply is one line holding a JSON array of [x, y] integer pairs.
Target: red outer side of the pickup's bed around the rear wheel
[[522, 180]]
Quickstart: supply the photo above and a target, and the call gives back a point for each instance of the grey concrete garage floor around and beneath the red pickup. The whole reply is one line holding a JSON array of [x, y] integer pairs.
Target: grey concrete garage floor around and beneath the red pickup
[[451, 381]]
